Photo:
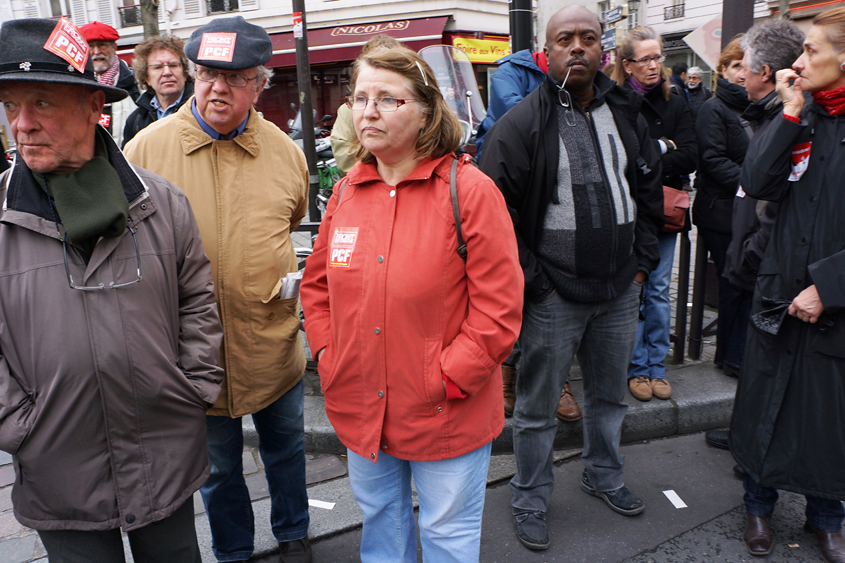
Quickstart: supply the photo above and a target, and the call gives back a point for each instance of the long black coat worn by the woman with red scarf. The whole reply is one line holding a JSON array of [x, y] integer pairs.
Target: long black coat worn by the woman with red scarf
[[788, 427]]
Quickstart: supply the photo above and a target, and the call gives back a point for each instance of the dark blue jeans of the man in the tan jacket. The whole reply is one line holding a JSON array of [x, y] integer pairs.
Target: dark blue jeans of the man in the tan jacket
[[281, 443]]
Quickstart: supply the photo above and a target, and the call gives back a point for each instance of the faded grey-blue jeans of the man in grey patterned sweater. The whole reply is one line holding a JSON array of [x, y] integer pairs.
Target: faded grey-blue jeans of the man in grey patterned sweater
[[553, 331]]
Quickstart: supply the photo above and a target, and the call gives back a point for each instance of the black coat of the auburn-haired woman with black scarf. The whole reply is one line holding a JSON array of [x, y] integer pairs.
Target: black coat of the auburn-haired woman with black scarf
[[722, 143]]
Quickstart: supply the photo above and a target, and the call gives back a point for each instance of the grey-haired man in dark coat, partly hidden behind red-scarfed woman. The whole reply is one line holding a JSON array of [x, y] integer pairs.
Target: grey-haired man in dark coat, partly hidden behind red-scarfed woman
[[769, 47]]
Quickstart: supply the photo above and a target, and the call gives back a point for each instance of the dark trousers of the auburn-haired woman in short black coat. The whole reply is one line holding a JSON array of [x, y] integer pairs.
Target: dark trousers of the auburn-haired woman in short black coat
[[734, 305]]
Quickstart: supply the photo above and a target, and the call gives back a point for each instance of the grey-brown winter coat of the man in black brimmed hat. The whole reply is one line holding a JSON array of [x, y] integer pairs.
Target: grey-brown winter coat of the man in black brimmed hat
[[103, 393]]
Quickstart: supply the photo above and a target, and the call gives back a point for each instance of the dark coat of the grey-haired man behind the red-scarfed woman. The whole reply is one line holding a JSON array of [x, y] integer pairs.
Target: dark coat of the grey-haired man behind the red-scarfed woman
[[752, 219]]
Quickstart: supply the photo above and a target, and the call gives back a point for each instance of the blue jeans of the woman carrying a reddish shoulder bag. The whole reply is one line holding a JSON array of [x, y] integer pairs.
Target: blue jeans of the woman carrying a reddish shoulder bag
[[652, 343]]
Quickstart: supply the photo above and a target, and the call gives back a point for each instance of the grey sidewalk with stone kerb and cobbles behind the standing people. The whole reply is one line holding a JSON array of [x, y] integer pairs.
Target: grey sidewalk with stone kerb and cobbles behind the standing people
[[702, 398]]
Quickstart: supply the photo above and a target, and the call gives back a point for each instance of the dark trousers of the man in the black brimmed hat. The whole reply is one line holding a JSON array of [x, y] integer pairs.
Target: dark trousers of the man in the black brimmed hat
[[165, 541]]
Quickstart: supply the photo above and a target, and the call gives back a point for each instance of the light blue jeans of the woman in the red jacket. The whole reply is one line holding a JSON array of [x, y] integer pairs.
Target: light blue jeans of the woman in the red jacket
[[451, 496]]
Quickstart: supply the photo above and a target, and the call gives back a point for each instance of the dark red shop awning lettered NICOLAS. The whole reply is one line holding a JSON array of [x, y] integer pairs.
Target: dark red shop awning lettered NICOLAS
[[344, 42]]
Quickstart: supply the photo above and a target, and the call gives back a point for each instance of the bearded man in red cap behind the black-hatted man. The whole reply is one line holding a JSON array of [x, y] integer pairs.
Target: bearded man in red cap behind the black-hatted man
[[111, 71]]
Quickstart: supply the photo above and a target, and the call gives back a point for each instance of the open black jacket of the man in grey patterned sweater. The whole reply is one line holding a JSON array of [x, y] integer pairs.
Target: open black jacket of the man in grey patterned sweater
[[521, 154]]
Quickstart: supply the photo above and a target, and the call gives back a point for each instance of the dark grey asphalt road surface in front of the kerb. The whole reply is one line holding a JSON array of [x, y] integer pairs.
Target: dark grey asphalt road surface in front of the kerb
[[583, 529]]
